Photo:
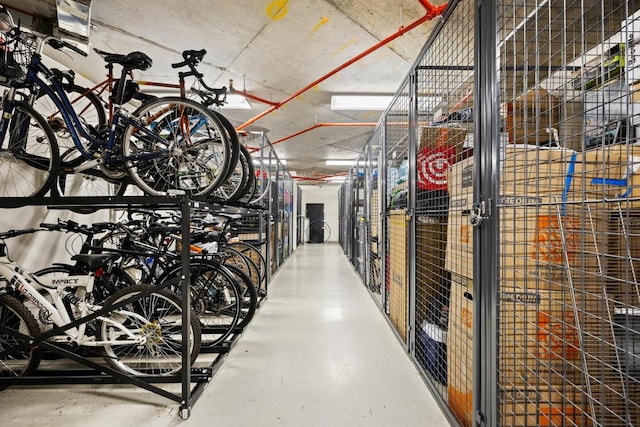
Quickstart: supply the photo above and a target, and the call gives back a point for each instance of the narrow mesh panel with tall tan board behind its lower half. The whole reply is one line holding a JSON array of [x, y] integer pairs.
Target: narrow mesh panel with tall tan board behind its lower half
[[397, 172]]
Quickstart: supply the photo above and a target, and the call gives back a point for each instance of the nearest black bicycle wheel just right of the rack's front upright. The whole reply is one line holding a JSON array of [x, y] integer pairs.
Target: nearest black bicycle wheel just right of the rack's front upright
[[215, 297]]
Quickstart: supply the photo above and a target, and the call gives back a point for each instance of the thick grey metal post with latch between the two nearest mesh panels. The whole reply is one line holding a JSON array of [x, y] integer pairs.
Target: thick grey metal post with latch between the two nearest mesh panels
[[486, 175]]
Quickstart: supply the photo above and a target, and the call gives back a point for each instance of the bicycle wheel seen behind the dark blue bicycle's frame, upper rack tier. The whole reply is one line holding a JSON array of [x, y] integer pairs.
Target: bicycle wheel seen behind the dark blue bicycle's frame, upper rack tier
[[90, 110]]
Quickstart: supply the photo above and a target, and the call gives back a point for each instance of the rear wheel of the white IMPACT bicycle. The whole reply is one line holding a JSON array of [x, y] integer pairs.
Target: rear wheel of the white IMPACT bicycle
[[157, 318]]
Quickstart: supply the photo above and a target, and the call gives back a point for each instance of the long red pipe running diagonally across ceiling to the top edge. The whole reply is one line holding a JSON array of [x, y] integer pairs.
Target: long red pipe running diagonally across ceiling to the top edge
[[432, 12]]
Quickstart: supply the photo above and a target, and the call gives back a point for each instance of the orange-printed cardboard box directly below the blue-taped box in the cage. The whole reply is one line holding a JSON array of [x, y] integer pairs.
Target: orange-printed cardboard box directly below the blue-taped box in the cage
[[543, 336]]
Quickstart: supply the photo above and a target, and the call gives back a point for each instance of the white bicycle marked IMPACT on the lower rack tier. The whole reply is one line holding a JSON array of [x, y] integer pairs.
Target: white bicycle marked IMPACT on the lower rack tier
[[141, 336]]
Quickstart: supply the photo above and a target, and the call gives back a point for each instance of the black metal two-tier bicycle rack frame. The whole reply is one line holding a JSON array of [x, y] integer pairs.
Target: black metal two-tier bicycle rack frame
[[194, 382]]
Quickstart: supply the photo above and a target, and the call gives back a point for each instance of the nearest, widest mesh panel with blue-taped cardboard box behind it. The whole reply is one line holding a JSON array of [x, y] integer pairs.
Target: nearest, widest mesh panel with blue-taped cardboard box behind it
[[569, 324]]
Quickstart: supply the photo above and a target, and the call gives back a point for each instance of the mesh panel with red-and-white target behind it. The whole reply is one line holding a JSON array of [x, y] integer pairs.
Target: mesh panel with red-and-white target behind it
[[444, 146]]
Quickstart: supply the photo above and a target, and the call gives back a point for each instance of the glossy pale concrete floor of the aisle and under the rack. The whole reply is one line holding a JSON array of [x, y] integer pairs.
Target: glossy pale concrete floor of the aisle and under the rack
[[318, 353]]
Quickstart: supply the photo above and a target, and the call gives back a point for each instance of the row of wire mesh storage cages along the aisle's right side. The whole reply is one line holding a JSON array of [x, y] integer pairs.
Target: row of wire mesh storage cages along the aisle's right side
[[538, 161]]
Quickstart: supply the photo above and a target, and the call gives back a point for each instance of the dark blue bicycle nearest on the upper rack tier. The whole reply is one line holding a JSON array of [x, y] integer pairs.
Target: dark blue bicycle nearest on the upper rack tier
[[167, 146]]
